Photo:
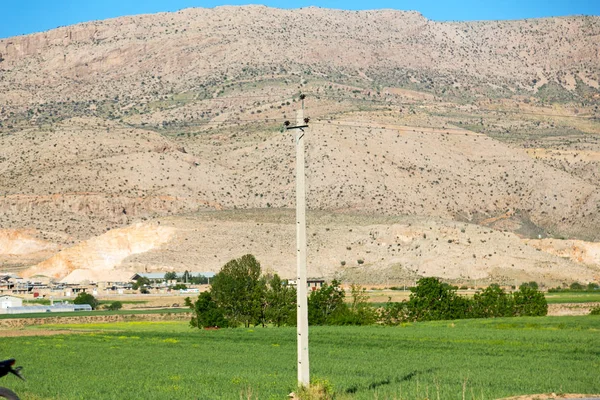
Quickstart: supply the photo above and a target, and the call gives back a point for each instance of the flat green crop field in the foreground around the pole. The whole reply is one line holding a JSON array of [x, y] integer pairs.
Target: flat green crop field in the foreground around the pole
[[477, 359]]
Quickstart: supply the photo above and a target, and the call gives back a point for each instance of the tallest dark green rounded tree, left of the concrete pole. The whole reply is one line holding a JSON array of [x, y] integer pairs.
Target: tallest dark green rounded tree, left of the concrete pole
[[236, 290]]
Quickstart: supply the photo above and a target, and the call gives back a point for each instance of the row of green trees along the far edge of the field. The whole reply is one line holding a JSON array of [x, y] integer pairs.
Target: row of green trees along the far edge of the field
[[242, 296]]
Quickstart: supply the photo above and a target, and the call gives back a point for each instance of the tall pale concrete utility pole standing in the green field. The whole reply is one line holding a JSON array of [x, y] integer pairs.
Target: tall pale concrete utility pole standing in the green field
[[301, 284]]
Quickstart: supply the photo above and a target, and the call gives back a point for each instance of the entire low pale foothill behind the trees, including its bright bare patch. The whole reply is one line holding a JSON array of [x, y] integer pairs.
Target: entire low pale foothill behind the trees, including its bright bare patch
[[399, 251]]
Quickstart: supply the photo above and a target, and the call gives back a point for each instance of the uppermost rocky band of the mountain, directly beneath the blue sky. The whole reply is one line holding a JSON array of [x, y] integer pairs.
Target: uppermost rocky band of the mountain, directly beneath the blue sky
[[194, 47]]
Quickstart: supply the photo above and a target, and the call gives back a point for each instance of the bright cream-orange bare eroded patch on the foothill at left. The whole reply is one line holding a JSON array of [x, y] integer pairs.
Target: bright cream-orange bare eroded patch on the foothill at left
[[102, 255]]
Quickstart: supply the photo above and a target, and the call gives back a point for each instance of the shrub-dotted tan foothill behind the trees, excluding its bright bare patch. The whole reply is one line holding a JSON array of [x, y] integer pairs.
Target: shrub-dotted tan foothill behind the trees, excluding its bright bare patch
[[400, 250]]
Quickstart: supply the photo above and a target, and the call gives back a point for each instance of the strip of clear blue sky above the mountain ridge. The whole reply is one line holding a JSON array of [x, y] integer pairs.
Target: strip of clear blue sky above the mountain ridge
[[26, 16]]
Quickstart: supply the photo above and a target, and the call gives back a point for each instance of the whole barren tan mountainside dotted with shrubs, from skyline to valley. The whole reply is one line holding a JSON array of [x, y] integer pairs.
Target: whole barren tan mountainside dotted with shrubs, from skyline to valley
[[493, 124]]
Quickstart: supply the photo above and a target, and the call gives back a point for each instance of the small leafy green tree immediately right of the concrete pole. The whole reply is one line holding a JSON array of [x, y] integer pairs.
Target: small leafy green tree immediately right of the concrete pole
[[325, 302]]
